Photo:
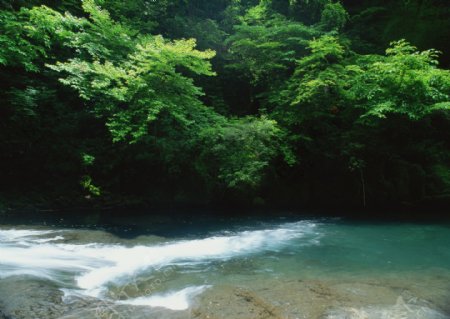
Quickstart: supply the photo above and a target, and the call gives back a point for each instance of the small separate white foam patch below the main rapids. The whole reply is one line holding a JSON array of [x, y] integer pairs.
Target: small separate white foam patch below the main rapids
[[179, 300]]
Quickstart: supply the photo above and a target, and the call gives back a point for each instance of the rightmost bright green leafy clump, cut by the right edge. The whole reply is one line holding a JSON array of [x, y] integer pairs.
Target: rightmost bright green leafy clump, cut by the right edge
[[406, 81]]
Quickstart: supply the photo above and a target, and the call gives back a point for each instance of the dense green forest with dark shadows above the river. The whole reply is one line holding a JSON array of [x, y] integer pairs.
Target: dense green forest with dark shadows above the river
[[264, 103]]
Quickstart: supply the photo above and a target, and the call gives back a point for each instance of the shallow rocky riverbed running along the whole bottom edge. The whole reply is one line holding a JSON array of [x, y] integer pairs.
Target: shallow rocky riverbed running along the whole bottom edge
[[27, 297]]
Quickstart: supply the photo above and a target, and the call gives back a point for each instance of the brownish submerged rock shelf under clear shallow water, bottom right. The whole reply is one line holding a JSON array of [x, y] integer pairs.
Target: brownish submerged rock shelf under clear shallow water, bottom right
[[314, 299]]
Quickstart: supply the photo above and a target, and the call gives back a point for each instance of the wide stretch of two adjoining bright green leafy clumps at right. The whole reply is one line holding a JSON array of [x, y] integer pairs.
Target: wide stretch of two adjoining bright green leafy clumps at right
[[405, 81]]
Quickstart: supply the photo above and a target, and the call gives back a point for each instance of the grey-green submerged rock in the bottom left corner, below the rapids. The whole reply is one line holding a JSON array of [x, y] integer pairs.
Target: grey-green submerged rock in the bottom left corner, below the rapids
[[27, 297]]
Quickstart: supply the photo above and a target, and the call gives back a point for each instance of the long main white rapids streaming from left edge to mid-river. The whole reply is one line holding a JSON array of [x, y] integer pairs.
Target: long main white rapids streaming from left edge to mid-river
[[93, 266]]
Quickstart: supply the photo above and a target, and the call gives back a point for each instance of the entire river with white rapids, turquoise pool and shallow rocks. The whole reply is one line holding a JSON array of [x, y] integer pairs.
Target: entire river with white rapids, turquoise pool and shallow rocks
[[278, 267]]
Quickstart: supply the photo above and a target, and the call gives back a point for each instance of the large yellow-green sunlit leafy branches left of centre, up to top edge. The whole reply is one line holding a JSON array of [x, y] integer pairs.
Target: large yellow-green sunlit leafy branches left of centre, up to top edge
[[129, 92]]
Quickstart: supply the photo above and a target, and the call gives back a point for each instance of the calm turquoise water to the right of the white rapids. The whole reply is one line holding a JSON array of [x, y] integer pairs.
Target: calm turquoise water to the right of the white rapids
[[366, 247]]
